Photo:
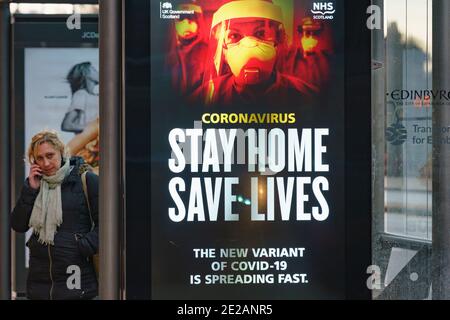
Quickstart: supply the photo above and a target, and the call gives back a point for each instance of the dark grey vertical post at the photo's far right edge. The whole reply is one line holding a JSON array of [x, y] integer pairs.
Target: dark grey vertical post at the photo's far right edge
[[441, 153]]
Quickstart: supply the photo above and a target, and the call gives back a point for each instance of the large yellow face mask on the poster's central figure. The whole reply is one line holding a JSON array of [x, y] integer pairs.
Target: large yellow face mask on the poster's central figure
[[251, 60]]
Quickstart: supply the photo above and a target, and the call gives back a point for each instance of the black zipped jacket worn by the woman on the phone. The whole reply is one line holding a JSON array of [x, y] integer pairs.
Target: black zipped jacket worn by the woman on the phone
[[53, 268]]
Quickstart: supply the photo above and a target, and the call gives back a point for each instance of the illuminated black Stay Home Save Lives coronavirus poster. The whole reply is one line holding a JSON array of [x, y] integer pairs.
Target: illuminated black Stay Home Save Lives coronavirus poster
[[247, 131]]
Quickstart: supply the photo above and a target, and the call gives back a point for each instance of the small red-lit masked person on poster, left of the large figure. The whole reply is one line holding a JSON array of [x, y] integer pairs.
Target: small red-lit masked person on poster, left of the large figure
[[187, 49]]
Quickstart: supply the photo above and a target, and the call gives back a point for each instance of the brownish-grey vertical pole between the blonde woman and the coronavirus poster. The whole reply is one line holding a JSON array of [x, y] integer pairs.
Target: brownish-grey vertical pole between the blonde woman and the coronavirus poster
[[110, 141]]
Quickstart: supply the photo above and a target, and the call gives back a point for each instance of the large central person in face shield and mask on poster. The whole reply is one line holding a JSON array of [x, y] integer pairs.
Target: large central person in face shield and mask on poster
[[247, 40]]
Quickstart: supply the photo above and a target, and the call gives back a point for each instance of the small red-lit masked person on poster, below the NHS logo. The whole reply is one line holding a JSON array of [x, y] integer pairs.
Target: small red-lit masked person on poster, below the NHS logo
[[309, 60]]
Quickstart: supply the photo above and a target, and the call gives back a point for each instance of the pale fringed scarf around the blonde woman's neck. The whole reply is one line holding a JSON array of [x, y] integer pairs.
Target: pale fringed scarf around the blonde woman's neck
[[47, 210]]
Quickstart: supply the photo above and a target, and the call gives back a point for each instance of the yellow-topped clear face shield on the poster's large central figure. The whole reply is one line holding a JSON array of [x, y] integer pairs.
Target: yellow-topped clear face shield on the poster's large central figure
[[245, 40]]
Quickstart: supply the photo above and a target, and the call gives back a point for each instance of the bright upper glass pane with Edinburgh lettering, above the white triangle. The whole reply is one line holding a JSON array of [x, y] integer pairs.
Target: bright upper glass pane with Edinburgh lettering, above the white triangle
[[408, 118]]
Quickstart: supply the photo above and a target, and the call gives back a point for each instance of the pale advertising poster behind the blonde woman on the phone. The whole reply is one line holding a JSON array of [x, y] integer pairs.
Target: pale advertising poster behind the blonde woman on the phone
[[61, 94]]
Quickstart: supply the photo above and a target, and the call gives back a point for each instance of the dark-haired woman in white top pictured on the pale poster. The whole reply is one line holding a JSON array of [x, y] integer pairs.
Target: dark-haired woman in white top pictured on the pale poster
[[83, 79]]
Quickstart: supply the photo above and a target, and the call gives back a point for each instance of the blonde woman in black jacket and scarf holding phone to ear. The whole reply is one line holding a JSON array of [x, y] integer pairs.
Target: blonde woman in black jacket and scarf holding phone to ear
[[52, 202]]
